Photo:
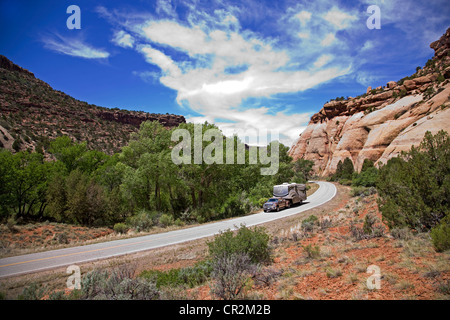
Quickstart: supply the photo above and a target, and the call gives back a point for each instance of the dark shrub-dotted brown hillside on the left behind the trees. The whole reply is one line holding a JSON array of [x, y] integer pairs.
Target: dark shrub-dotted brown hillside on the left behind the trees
[[32, 113]]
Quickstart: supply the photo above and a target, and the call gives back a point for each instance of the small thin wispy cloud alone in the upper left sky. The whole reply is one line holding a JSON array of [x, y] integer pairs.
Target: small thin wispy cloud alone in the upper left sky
[[73, 47]]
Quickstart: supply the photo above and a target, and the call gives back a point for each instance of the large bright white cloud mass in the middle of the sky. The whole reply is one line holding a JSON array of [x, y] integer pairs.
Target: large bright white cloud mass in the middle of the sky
[[195, 58]]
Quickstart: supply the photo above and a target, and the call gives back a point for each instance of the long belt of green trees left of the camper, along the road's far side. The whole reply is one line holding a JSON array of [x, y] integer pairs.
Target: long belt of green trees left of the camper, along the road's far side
[[138, 188]]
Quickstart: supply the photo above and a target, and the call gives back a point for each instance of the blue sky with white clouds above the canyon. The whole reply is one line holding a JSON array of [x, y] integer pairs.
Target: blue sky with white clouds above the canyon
[[244, 65]]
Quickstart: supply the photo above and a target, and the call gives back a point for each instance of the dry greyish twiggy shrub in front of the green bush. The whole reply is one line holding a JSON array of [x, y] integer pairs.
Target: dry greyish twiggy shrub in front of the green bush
[[231, 274]]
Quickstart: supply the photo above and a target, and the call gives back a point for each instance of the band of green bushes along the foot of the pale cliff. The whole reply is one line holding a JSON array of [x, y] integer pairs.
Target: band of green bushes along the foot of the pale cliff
[[413, 189]]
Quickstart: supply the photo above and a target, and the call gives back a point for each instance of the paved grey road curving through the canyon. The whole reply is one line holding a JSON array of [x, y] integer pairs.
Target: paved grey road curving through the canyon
[[76, 255]]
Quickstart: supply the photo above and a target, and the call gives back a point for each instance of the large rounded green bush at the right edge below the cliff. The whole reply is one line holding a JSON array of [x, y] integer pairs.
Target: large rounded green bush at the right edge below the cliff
[[414, 188]]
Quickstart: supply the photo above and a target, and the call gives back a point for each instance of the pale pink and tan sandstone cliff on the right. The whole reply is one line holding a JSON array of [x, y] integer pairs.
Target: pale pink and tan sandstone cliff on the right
[[384, 121]]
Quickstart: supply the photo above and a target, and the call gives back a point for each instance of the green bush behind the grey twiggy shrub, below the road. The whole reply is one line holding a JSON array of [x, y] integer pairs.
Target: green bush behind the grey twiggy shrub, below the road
[[254, 243]]
